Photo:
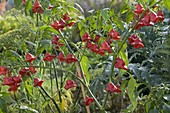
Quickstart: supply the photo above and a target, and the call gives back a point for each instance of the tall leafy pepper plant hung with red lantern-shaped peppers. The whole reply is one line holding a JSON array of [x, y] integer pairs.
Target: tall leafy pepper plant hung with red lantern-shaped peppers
[[65, 62]]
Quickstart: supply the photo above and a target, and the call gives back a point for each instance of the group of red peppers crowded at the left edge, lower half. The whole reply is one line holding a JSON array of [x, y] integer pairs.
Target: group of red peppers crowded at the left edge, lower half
[[14, 81]]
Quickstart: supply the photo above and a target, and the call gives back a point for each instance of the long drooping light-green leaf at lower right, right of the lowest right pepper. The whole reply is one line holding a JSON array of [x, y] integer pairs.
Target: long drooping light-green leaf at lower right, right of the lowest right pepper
[[131, 89]]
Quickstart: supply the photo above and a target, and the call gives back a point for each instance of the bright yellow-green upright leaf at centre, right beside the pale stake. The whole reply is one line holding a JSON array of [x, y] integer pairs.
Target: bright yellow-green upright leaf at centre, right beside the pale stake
[[84, 64]]
